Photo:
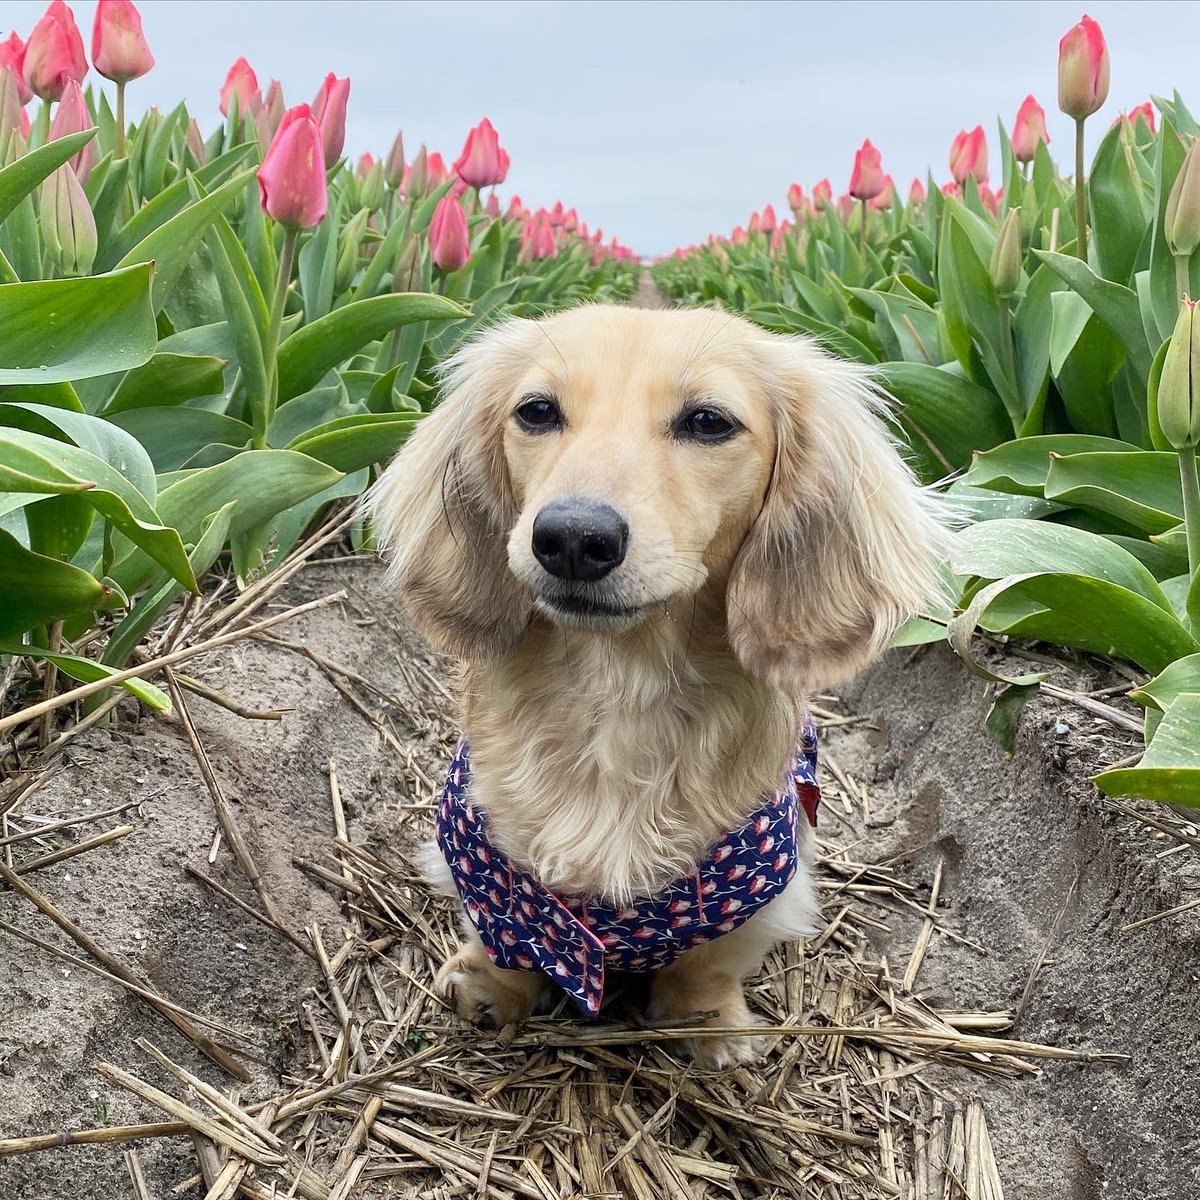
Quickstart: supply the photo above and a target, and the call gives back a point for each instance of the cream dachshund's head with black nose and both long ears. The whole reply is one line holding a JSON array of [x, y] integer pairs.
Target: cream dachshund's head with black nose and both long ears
[[605, 465]]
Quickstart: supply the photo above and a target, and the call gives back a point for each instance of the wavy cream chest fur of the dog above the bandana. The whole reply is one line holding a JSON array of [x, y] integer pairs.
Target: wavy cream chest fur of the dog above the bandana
[[609, 765]]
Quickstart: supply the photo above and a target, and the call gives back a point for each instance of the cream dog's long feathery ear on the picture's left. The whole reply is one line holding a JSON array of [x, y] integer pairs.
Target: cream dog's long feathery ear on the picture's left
[[445, 507]]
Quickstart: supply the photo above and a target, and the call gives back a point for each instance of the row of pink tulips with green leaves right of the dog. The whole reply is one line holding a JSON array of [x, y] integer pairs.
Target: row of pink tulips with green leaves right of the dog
[[1042, 345]]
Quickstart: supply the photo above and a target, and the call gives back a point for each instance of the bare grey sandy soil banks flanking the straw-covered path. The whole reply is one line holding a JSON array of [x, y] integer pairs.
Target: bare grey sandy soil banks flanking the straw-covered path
[[1025, 848]]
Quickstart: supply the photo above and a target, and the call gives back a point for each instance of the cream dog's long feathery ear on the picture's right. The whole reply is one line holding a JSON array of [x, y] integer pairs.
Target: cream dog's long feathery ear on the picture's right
[[847, 544]]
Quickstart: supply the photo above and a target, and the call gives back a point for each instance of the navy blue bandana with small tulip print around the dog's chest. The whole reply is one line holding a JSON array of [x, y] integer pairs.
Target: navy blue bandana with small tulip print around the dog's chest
[[573, 939]]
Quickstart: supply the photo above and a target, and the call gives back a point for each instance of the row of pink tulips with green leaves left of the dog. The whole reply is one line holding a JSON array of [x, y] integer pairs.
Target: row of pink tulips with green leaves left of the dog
[[212, 337]]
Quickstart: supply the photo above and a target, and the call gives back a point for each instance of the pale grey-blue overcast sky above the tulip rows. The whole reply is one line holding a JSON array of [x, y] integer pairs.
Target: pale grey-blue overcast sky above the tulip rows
[[663, 122]]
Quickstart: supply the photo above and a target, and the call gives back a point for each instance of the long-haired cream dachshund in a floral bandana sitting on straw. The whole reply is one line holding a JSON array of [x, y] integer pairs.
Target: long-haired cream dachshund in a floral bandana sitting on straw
[[649, 536]]
